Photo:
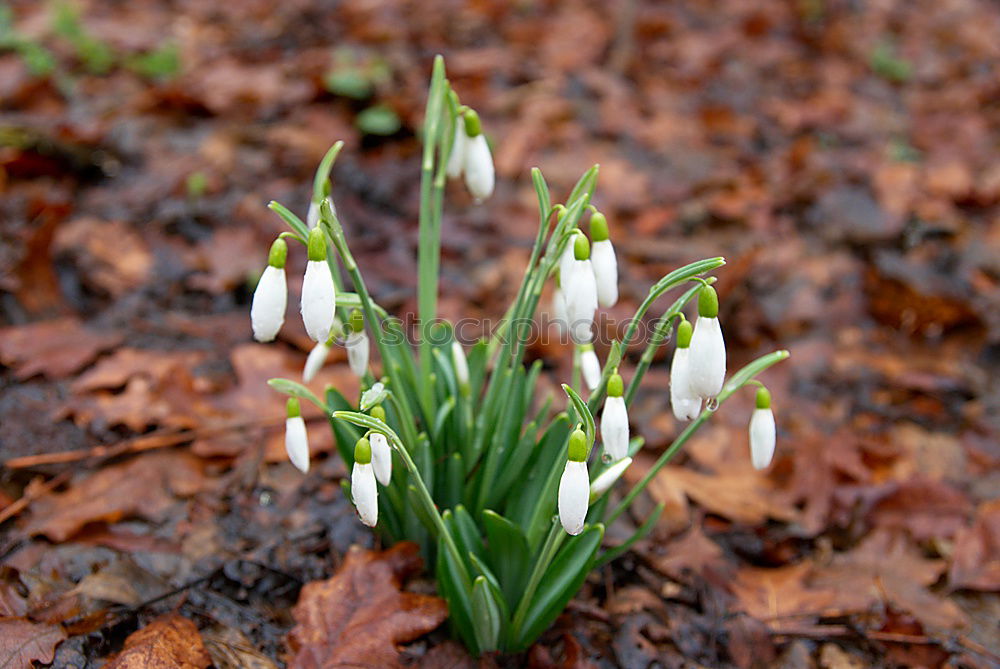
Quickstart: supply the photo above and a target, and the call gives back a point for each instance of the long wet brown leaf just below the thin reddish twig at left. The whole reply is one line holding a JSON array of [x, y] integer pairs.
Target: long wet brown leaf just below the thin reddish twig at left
[[145, 486]]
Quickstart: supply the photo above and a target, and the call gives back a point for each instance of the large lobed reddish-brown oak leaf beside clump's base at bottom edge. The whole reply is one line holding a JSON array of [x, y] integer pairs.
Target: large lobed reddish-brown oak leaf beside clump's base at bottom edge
[[360, 616]]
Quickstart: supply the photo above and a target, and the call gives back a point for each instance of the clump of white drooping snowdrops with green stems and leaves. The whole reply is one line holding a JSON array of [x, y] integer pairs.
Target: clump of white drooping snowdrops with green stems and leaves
[[452, 447]]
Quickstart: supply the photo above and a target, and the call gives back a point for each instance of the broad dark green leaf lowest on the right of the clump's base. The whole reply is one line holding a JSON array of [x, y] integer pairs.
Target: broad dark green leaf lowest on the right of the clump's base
[[559, 584]]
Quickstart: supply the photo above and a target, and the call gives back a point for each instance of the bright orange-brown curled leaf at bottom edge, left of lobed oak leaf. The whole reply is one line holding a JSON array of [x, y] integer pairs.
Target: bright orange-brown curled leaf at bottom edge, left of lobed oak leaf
[[169, 642]]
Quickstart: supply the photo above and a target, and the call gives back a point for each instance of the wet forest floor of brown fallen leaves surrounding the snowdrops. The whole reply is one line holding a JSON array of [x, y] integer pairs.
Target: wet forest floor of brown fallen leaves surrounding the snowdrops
[[842, 156]]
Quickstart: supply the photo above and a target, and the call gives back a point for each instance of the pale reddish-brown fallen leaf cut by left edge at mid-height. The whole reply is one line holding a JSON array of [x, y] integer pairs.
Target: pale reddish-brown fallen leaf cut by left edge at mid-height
[[54, 349]]
